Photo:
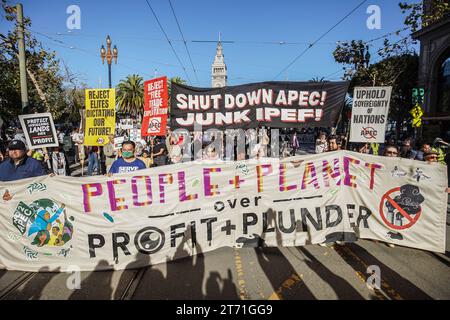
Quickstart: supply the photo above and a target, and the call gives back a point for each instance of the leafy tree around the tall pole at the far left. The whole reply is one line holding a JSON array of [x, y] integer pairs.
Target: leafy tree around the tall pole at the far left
[[46, 89]]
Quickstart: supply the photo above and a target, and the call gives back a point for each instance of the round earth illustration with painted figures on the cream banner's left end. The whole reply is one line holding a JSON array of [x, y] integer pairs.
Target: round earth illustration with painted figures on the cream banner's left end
[[46, 227]]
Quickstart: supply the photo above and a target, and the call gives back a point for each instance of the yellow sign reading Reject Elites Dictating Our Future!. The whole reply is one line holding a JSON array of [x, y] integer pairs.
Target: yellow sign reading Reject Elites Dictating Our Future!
[[100, 116]]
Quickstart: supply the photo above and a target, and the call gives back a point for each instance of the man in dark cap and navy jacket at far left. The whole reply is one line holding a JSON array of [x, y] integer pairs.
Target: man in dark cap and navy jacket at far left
[[19, 165]]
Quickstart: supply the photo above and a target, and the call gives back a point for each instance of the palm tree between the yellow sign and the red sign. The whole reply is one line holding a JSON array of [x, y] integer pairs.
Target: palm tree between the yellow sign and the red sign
[[130, 95]]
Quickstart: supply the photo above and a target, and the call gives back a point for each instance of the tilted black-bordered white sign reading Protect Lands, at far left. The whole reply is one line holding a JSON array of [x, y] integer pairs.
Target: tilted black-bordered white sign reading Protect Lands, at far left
[[39, 130]]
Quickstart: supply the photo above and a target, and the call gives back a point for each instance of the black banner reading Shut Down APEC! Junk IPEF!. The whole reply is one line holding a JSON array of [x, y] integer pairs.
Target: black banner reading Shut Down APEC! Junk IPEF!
[[273, 104]]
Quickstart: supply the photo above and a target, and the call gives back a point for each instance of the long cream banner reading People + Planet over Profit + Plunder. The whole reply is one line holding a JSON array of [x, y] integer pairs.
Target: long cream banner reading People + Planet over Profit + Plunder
[[165, 213]]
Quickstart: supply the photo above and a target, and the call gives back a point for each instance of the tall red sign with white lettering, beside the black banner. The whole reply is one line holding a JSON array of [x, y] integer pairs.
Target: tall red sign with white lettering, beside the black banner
[[156, 98]]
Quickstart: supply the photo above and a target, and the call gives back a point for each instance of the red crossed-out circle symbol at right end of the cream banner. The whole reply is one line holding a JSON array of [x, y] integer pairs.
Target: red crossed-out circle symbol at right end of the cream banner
[[393, 212]]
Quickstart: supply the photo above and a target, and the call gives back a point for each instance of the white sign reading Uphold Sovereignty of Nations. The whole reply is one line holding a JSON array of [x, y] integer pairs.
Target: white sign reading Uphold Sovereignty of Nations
[[370, 114]]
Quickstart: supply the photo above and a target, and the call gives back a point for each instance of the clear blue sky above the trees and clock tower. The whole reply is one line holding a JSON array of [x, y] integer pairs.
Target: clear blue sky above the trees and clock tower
[[255, 26]]
